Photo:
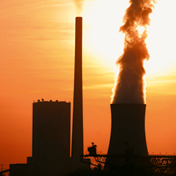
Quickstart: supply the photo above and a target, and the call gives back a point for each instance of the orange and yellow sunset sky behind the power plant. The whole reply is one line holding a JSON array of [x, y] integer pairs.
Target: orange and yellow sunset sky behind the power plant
[[37, 58]]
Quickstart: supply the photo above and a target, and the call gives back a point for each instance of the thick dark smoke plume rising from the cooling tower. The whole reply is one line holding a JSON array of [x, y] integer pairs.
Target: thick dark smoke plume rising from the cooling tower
[[129, 86]]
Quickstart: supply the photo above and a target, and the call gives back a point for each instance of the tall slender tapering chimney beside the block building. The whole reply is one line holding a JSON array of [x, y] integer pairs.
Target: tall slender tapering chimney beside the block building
[[77, 130]]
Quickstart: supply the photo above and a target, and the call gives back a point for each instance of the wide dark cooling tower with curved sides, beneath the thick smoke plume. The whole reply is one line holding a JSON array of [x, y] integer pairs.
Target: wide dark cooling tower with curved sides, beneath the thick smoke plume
[[128, 129]]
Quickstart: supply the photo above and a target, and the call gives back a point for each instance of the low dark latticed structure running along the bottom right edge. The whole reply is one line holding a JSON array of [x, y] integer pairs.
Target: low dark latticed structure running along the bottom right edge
[[135, 165]]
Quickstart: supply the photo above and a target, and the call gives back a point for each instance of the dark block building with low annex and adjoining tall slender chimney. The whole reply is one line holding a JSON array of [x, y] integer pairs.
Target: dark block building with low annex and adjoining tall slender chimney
[[51, 129]]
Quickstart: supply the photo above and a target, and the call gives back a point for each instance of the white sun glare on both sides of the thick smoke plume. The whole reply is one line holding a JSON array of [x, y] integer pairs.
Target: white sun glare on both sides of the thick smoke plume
[[102, 38]]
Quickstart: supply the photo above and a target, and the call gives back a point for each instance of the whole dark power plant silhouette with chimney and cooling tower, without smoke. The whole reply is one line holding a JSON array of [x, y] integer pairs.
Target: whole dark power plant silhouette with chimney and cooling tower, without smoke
[[51, 139]]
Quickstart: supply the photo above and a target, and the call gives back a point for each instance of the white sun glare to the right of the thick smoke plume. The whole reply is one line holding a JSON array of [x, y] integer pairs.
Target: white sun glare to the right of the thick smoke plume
[[161, 40]]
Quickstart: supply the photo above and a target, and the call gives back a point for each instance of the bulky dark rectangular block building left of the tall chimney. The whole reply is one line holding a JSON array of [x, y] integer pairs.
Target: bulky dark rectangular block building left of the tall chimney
[[51, 136]]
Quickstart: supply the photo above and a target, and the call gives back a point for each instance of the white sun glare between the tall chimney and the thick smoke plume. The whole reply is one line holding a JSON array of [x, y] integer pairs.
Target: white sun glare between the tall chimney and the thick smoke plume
[[103, 19]]
